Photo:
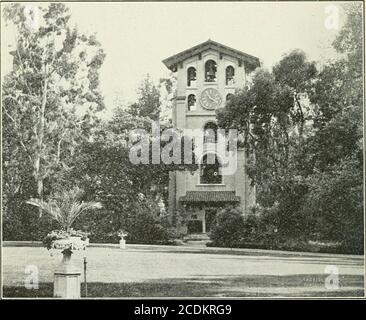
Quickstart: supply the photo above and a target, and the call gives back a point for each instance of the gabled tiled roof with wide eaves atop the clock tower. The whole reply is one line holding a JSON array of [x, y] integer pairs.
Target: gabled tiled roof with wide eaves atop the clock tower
[[250, 61]]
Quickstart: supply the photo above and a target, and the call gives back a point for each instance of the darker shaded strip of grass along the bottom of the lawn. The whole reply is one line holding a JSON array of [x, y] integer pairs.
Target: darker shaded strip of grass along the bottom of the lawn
[[246, 286]]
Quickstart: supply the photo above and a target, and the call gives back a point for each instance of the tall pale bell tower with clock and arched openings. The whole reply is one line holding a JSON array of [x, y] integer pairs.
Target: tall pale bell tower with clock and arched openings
[[207, 76]]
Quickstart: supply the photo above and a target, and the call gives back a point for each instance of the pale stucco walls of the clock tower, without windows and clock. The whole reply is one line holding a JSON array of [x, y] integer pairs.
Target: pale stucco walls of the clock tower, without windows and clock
[[184, 119]]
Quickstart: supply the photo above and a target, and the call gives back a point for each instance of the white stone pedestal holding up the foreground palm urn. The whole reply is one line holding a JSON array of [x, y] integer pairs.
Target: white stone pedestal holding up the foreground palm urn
[[67, 279]]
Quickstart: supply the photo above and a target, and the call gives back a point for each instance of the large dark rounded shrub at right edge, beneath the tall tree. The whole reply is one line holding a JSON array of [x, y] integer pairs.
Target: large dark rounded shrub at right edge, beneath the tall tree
[[335, 203]]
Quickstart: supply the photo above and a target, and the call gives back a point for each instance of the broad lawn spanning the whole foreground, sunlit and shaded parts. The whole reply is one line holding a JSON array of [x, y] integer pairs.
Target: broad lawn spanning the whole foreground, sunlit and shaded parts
[[153, 271]]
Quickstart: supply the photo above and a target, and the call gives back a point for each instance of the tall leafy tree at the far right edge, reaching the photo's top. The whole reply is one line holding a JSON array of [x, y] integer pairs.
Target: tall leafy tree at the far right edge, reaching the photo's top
[[335, 198]]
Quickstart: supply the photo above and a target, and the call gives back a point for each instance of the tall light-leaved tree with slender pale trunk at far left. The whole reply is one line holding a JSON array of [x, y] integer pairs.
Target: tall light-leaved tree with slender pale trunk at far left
[[54, 77]]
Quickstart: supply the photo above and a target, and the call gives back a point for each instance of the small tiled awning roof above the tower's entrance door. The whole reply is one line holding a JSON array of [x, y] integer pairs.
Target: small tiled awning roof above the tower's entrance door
[[210, 196]]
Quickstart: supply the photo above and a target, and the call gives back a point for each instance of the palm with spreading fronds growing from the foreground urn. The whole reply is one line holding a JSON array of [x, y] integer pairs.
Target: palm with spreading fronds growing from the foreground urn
[[65, 207]]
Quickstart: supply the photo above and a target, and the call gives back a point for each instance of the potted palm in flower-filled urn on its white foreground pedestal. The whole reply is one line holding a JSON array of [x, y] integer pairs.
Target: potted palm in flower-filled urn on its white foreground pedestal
[[64, 208]]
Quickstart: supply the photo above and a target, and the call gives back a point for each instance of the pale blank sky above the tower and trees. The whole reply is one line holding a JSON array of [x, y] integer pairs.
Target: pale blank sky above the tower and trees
[[136, 37]]
